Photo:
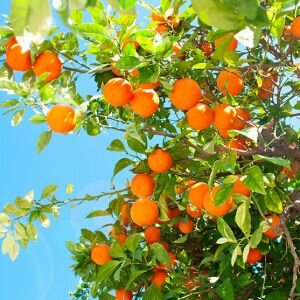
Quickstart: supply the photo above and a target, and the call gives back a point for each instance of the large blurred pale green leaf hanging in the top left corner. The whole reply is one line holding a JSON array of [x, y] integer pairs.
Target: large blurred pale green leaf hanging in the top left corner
[[32, 18]]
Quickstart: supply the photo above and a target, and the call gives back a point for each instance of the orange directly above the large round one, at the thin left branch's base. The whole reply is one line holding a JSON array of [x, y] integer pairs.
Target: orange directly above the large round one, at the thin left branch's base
[[142, 185]]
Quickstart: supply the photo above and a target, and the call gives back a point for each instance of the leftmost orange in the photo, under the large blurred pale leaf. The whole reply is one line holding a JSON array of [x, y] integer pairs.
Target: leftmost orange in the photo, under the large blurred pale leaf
[[16, 58]]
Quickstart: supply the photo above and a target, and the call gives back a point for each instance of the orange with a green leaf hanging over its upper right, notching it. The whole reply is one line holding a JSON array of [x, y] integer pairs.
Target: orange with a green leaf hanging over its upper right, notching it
[[211, 208]]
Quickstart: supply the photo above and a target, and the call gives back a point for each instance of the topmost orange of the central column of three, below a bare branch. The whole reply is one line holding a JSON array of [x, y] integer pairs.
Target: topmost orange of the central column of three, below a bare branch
[[160, 161]]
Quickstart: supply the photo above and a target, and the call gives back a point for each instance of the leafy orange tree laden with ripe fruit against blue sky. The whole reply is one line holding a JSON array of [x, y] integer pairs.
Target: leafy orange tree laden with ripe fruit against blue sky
[[206, 93]]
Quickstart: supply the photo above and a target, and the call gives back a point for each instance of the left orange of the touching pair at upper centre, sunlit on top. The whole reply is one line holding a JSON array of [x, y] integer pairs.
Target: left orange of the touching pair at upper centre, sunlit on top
[[117, 92]]
